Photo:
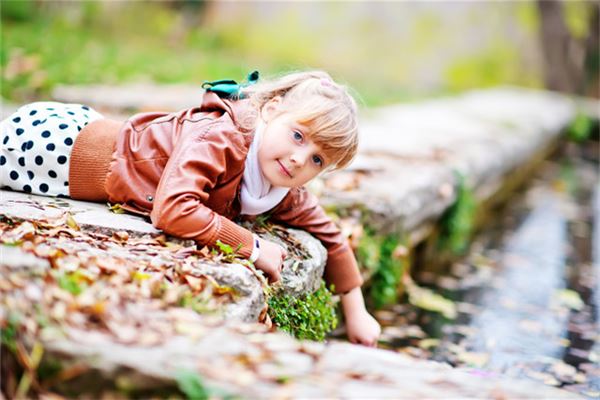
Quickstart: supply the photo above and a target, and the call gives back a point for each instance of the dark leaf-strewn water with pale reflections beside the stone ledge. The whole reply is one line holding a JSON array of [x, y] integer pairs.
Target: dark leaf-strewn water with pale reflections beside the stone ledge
[[528, 294]]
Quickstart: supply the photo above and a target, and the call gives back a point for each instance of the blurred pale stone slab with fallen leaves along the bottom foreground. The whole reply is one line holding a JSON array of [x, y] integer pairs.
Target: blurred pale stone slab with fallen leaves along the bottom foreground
[[249, 362]]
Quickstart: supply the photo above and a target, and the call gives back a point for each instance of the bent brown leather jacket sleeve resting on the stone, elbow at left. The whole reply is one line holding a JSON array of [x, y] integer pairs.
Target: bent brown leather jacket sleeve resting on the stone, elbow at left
[[194, 168]]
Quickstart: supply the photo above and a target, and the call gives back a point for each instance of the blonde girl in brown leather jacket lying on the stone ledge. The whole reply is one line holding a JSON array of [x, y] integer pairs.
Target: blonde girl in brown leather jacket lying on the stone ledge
[[194, 171]]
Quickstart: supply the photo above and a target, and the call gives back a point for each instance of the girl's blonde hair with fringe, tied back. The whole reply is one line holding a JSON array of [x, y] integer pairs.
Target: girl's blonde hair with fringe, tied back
[[313, 99]]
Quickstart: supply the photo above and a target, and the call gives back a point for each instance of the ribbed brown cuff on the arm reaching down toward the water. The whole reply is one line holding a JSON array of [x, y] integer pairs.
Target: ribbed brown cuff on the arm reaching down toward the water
[[342, 270]]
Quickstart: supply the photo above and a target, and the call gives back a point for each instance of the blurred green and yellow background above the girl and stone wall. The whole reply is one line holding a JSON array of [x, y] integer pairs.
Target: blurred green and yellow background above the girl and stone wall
[[387, 51]]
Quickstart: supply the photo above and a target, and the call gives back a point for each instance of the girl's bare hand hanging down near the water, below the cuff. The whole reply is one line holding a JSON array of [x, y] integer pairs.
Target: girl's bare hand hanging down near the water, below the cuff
[[361, 327]]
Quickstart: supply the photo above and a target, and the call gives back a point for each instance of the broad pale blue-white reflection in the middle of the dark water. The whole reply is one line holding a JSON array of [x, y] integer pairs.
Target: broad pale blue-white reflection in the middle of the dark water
[[516, 325]]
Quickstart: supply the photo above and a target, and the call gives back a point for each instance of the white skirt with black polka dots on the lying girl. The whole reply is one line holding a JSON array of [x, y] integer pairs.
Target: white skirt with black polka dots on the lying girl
[[36, 145]]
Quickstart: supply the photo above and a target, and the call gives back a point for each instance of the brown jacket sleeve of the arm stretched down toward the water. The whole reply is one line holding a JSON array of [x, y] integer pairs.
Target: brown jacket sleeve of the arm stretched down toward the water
[[300, 209]]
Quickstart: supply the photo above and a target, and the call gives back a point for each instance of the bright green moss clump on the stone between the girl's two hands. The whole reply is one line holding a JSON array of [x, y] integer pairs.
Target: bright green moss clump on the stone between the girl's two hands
[[310, 316]]
